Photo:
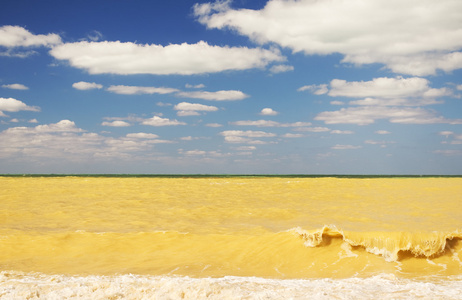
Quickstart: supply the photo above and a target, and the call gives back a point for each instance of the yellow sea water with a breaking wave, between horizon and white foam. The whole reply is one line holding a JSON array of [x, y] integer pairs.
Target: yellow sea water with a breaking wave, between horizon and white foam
[[280, 228]]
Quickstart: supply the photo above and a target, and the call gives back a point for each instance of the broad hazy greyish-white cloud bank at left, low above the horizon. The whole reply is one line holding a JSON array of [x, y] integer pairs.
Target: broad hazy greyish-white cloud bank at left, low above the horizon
[[63, 141]]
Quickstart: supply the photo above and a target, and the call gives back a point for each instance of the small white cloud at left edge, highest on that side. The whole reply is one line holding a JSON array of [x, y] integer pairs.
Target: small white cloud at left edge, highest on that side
[[16, 36]]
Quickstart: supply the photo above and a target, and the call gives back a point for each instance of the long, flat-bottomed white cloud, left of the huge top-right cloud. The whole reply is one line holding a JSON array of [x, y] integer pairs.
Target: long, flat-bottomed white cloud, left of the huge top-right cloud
[[185, 59]]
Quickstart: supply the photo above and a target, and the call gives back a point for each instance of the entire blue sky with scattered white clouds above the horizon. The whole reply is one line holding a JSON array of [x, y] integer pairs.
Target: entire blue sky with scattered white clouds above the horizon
[[231, 87]]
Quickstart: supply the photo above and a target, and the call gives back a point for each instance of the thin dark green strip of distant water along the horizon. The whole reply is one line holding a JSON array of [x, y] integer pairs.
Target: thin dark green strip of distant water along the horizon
[[229, 175]]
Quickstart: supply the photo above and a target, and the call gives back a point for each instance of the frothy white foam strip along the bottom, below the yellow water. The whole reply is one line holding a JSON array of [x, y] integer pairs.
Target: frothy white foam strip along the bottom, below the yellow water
[[40, 286]]
